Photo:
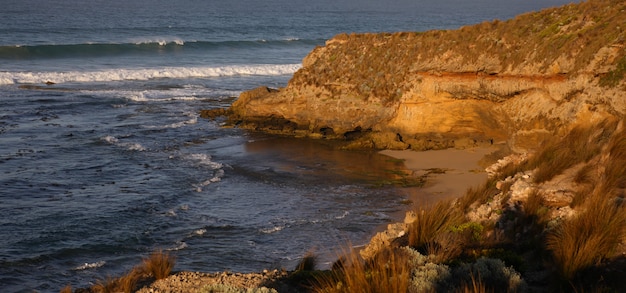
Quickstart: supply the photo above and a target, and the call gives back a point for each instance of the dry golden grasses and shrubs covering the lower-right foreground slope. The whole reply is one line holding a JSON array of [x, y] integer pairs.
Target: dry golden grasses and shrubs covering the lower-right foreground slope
[[446, 252]]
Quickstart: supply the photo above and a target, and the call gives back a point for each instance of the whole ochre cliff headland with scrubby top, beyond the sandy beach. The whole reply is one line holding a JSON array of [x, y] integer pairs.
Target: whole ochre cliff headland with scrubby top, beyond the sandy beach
[[518, 81]]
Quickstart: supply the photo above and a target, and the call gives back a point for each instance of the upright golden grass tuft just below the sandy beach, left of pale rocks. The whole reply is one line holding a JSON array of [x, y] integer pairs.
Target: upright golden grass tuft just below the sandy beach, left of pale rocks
[[433, 222]]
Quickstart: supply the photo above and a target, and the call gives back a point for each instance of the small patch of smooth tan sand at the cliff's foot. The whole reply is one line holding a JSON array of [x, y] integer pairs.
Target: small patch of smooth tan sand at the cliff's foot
[[451, 172]]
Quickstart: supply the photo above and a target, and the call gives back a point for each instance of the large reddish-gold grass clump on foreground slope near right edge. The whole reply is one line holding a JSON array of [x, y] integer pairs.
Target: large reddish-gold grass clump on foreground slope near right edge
[[584, 240]]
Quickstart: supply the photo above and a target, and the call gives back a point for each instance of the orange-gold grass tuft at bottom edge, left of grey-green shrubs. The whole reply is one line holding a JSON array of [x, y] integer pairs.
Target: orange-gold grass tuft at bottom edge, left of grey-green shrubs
[[388, 271]]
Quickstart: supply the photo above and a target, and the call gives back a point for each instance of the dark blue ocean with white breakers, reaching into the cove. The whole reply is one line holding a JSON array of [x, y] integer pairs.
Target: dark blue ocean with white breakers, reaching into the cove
[[104, 158]]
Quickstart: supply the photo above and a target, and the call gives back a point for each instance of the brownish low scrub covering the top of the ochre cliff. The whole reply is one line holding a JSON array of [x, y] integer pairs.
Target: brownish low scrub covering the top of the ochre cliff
[[561, 42]]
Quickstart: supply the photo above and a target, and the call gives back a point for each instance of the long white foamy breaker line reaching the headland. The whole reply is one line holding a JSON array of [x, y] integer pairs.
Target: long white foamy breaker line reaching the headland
[[146, 74]]
